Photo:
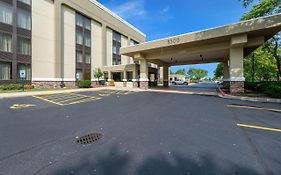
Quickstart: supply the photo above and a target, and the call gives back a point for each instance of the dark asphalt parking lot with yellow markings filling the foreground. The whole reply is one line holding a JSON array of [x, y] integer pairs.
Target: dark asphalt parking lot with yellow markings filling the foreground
[[140, 133]]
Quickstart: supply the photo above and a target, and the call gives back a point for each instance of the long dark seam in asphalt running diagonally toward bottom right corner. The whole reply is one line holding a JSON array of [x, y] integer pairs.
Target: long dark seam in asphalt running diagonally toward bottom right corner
[[252, 146]]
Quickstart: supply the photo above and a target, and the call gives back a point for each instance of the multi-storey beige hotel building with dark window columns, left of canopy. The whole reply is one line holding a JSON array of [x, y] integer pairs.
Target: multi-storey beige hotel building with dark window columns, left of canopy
[[54, 43]]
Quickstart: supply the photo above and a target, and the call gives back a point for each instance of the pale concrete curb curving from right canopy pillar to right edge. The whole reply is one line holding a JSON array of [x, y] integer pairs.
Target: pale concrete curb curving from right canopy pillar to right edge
[[252, 99]]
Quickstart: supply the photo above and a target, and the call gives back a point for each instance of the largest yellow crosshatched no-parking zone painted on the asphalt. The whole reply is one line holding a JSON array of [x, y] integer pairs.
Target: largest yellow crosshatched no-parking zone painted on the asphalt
[[66, 98]]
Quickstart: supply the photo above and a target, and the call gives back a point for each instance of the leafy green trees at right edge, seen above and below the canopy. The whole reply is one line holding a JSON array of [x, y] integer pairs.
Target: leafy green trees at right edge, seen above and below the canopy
[[262, 63]]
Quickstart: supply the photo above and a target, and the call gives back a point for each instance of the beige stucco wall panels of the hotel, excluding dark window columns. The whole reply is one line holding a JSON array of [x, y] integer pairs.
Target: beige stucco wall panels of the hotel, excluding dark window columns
[[54, 39]]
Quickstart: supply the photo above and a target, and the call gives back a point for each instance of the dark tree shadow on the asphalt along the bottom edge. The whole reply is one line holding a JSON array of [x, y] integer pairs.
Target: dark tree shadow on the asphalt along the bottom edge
[[117, 163]]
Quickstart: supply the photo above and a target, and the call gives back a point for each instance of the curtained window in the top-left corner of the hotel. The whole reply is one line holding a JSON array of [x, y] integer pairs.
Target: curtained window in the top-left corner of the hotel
[[6, 13]]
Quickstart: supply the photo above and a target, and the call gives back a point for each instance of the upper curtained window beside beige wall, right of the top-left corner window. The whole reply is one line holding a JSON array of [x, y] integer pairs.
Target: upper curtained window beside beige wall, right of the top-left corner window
[[24, 19]]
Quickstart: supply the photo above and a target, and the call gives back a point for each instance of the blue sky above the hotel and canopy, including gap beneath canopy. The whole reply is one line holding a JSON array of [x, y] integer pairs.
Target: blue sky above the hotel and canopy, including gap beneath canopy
[[164, 18]]
